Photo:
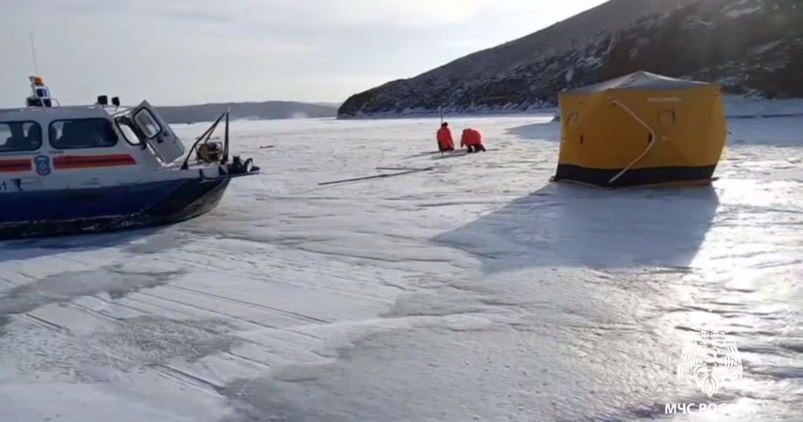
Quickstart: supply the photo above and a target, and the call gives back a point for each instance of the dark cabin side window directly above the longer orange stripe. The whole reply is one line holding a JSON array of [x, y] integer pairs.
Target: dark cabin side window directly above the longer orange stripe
[[82, 133]]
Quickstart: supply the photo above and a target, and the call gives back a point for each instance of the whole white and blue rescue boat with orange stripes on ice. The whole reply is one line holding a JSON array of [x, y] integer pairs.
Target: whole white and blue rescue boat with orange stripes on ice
[[69, 170]]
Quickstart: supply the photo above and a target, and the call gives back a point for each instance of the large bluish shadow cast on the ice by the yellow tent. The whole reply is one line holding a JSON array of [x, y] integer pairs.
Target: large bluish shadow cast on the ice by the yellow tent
[[572, 226]]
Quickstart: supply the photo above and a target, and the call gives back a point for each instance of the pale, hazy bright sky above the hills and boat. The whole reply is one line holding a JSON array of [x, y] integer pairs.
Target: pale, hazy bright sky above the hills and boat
[[198, 51]]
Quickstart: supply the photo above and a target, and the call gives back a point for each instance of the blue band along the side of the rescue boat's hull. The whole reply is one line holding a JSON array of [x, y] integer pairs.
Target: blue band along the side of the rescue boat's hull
[[86, 203]]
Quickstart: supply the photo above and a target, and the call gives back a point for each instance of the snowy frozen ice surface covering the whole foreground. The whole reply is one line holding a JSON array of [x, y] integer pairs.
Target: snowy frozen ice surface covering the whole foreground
[[474, 292]]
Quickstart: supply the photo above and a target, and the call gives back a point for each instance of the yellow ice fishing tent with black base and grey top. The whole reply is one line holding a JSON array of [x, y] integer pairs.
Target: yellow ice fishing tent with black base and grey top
[[641, 129]]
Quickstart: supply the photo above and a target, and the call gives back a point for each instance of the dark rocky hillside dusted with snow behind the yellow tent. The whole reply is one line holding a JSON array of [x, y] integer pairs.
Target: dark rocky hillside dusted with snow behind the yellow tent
[[747, 46]]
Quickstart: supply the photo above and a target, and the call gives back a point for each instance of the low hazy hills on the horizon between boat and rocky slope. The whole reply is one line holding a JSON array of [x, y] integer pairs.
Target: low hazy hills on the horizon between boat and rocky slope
[[266, 110]]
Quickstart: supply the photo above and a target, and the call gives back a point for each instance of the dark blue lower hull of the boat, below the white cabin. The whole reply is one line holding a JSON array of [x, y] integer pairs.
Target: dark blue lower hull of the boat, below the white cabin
[[68, 212]]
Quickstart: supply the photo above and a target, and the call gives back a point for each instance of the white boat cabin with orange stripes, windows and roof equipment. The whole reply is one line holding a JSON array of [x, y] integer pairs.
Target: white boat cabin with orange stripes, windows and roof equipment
[[47, 141]]
